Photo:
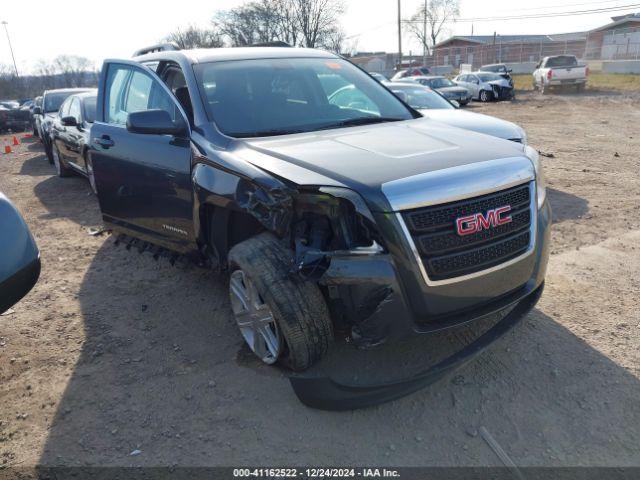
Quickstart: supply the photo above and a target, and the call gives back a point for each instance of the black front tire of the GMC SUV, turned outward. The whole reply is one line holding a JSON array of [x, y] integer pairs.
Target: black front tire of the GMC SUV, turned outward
[[297, 306]]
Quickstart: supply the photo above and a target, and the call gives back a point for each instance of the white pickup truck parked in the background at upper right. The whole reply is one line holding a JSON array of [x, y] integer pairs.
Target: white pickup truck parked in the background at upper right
[[560, 71]]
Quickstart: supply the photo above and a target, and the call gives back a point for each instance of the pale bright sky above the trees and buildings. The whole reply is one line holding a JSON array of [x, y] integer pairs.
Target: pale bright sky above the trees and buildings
[[118, 27]]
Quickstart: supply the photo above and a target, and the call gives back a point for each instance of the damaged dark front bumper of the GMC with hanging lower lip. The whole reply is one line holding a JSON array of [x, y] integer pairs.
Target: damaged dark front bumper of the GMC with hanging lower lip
[[386, 312]]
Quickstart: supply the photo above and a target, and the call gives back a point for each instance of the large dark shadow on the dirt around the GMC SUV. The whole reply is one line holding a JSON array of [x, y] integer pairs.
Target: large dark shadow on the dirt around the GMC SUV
[[163, 379]]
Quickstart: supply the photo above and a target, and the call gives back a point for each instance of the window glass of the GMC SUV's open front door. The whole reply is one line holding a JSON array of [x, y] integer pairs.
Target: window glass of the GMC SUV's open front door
[[131, 90]]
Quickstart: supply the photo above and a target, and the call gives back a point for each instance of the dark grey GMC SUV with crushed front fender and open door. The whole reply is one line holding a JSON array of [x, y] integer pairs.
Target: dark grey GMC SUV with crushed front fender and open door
[[330, 213]]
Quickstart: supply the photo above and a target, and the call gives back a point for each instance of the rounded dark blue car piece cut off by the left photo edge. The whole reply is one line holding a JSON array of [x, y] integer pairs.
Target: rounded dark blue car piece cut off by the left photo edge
[[19, 256]]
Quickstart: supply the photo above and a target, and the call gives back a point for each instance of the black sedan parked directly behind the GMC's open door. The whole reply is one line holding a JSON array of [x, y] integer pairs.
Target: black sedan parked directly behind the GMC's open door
[[70, 136]]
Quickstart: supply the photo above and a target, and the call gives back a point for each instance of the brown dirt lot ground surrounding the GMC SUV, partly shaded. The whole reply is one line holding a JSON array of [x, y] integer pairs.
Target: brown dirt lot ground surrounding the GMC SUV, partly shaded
[[113, 352]]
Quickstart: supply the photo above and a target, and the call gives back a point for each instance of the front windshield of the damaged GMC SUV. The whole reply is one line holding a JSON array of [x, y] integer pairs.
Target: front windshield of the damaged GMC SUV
[[251, 98]]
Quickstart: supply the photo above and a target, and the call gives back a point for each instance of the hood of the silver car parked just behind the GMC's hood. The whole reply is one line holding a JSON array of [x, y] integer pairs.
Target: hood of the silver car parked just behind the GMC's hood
[[476, 122]]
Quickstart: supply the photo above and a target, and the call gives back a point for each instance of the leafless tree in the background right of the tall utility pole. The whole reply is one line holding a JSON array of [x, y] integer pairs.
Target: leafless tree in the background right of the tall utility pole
[[437, 14]]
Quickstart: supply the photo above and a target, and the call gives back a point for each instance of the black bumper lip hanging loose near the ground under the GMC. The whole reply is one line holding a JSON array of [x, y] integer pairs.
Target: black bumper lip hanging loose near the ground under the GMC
[[327, 394]]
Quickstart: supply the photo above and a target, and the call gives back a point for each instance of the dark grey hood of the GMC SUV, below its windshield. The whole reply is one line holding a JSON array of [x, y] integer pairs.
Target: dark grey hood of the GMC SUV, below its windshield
[[363, 158]]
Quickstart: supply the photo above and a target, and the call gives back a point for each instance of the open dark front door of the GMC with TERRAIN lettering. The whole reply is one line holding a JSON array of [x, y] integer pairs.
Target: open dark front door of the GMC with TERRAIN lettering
[[143, 180]]
